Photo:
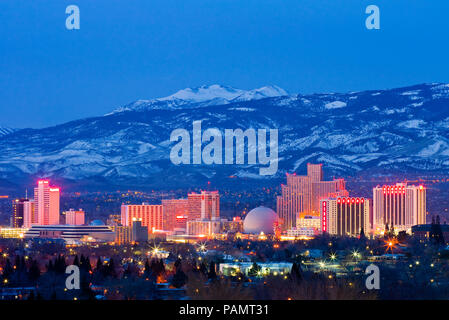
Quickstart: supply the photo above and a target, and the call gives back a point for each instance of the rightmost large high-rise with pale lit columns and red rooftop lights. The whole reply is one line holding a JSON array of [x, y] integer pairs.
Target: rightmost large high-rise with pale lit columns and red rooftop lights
[[401, 206]]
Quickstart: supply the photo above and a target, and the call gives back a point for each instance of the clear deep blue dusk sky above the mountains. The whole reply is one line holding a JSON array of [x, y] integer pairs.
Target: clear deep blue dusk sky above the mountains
[[141, 49]]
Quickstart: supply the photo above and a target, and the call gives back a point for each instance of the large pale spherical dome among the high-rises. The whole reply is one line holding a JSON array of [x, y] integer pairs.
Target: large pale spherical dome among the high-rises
[[260, 219]]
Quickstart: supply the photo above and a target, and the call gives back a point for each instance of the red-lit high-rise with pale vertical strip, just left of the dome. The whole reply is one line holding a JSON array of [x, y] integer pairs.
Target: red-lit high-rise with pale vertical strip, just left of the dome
[[204, 205]]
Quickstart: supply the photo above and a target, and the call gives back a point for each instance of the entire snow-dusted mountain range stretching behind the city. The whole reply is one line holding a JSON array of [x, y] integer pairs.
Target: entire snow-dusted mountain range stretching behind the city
[[404, 130]]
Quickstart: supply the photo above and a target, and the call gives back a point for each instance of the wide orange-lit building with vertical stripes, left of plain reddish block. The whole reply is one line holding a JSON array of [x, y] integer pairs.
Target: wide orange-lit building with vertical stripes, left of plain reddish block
[[150, 215]]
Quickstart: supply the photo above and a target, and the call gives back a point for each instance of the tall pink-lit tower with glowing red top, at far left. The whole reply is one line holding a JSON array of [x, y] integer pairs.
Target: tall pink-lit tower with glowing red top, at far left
[[46, 200]]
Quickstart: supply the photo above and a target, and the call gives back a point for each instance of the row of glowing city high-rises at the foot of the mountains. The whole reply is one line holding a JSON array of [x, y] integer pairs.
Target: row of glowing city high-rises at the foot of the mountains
[[400, 206]]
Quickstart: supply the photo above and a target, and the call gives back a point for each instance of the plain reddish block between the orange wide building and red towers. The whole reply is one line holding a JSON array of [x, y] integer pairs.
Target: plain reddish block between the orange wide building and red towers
[[175, 213]]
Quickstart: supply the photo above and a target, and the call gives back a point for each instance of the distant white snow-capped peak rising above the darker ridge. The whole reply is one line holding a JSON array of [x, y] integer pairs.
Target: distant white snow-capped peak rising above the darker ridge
[[203, 96]]
